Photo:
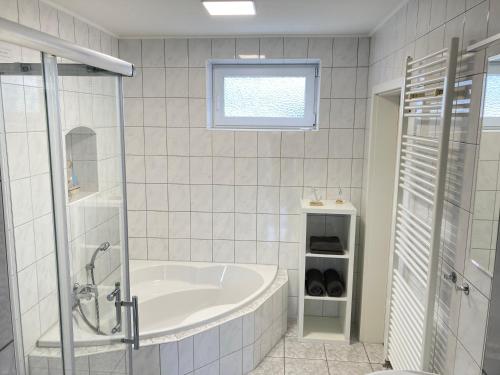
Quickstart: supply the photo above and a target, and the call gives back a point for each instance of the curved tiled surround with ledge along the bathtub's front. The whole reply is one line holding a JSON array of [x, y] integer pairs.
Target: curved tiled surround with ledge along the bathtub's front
[[235, 344]]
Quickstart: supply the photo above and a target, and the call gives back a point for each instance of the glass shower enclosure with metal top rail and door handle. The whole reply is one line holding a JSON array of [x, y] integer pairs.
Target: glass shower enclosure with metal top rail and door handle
[[63, 187]]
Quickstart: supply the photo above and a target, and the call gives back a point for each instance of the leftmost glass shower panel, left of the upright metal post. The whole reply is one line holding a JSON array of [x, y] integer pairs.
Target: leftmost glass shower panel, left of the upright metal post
[[27, 196]]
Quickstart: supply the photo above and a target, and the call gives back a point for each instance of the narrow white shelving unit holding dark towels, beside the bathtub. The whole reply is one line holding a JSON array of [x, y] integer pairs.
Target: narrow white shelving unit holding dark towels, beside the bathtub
[[327, 318]]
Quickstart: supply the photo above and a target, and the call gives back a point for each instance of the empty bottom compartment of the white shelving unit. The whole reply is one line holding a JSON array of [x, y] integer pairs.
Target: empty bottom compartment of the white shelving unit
[[324, 328]]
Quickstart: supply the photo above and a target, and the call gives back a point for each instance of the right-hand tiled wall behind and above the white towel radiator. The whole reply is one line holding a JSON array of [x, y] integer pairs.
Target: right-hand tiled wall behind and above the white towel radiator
[[418, 28]]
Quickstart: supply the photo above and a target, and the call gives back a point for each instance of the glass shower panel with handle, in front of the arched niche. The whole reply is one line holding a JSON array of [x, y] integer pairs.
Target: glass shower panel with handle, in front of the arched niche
[[91, 125]]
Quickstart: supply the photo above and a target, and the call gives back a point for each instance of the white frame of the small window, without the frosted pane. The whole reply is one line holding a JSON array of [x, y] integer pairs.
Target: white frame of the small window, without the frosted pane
[[218, 69]]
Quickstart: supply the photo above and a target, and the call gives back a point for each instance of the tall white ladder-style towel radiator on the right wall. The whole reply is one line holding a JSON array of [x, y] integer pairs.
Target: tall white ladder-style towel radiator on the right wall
[[418, 207]]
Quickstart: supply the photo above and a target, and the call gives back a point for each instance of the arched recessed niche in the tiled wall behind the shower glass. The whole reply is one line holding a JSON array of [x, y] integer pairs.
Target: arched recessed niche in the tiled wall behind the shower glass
[[81, 163]]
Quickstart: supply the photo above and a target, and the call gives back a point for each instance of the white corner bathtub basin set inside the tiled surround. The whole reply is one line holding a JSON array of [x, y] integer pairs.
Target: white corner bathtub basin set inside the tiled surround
[[175, 296]]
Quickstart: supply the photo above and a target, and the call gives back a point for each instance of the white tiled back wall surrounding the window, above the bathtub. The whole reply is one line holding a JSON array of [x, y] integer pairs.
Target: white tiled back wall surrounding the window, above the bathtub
[[224, 196]]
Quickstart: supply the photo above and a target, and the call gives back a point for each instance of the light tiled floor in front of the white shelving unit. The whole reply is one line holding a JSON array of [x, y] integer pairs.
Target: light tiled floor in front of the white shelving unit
[[292, 357]]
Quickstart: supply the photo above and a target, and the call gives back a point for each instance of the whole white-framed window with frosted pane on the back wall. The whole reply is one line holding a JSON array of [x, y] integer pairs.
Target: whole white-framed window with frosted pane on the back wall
[[262, 95]]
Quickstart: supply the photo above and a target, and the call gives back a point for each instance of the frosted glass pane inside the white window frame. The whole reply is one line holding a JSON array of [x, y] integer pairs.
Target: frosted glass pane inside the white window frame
[[264, 97]]
